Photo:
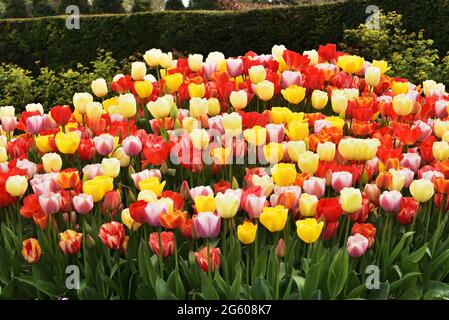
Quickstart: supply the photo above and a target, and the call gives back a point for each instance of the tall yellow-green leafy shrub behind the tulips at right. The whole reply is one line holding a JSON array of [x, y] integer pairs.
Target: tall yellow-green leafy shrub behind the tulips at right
[[410, 55]]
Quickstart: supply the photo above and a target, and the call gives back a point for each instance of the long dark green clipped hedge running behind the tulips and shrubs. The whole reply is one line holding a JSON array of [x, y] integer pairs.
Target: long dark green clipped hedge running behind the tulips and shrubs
[[25, 41]]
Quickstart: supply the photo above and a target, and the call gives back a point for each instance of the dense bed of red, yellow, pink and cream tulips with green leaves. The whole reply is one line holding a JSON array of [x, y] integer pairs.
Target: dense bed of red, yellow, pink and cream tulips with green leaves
[[279, 176]]
